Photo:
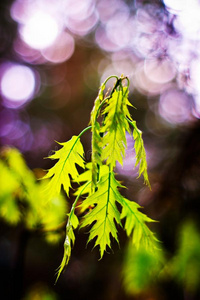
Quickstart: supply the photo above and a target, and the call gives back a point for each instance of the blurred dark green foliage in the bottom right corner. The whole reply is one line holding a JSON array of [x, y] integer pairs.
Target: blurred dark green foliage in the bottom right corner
[[144, 270]]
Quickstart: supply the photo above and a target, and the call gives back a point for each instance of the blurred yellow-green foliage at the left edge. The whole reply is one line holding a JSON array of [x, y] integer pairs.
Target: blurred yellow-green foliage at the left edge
[[22, 197]]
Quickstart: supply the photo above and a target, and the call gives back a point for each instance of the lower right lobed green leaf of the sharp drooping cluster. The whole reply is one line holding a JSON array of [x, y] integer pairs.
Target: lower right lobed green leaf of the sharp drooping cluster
[[135, 225]]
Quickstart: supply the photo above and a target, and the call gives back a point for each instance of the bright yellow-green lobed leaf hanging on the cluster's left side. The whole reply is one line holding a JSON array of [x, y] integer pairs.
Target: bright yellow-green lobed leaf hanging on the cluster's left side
[[68, 156]]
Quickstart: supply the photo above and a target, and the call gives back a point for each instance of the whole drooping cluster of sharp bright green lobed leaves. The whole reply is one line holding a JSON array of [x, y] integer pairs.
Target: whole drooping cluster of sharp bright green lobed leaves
[[104, 207]]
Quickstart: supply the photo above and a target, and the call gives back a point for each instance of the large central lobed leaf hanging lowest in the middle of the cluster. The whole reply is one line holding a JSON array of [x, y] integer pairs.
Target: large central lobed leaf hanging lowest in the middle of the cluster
[[105, 212]]
